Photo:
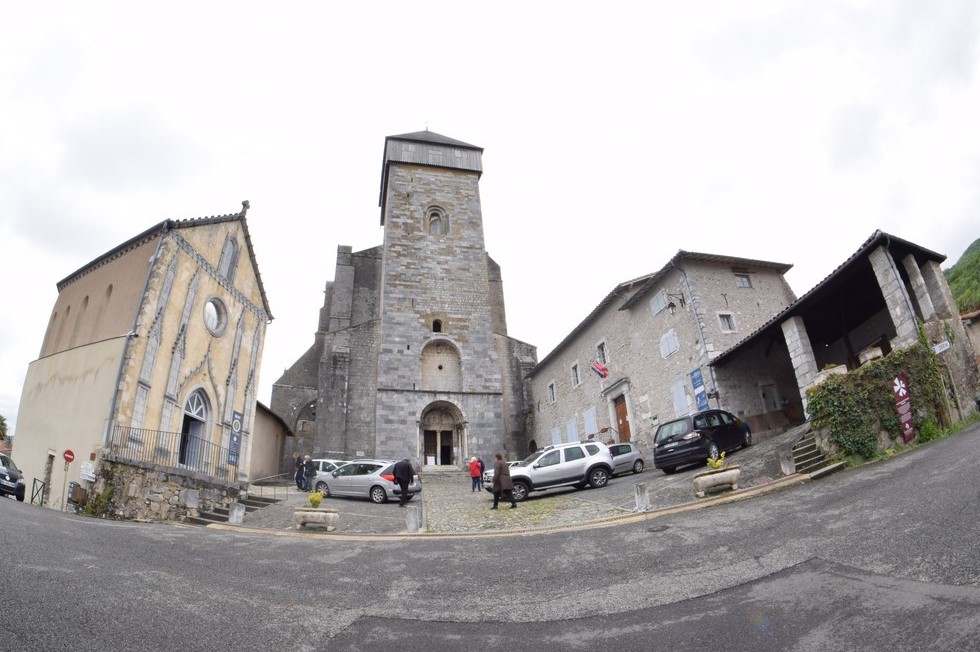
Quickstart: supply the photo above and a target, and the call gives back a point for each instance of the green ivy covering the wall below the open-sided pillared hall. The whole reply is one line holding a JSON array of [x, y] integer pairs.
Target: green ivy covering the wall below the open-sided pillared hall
[[857, 406]]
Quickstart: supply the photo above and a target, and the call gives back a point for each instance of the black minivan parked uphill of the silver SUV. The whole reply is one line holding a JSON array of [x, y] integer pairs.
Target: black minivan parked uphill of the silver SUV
[[695, 438]]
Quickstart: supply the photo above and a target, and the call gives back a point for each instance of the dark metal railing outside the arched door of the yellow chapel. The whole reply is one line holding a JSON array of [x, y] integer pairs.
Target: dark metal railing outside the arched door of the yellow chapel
[[179, 451]]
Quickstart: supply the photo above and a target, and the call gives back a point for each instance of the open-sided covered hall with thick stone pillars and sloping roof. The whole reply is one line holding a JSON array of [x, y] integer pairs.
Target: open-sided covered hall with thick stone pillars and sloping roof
[[872, 304]]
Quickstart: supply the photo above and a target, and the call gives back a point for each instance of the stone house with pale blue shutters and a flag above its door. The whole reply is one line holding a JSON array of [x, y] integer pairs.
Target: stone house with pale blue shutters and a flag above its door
[[641, 356]]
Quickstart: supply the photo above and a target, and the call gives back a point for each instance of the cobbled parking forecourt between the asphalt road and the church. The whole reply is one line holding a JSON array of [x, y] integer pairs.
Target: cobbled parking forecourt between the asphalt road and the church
[[448, 505]]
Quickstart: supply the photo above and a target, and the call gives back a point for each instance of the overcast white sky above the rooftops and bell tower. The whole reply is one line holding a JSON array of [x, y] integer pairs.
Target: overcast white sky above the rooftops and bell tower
[[614, 135]]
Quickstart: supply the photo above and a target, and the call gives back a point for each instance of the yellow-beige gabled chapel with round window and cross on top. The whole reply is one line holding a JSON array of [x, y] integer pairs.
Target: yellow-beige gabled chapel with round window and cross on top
[[144, 391]]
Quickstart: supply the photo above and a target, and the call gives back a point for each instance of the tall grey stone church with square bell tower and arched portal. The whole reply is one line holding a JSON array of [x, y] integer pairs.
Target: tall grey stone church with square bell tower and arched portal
[[411, 356]]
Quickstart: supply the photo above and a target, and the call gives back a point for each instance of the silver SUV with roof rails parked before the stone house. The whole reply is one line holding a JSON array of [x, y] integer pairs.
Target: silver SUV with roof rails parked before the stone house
[[578, 465]]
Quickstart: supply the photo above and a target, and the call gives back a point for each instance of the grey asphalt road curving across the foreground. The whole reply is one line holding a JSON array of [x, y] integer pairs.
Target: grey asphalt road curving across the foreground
[[885, 557]]
